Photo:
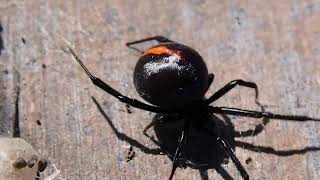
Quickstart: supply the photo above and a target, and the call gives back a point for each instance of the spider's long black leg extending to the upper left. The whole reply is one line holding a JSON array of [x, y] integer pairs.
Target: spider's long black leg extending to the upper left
[[132, 102]]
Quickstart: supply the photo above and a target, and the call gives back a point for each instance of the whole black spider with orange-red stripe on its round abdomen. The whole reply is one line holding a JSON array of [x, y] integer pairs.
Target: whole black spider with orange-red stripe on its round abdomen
[[174, 78]]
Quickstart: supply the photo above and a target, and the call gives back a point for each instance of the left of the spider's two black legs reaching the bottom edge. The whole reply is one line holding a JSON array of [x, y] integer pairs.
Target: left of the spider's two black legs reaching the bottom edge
[[183, 140]]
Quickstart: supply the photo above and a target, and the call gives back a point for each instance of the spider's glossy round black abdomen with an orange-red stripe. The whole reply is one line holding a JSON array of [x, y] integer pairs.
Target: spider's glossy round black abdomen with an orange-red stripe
[[171, 75]]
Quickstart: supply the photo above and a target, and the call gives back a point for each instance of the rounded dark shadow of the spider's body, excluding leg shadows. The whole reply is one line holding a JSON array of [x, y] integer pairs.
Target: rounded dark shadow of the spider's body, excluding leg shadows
[[202, 152]]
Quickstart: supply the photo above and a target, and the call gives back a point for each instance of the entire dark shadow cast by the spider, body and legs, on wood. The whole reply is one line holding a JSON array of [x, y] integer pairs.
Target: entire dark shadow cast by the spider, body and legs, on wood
[[201, 152]]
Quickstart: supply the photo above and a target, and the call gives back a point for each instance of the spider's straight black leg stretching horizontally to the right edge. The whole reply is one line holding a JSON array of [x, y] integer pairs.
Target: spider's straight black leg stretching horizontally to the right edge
[[257, 114]]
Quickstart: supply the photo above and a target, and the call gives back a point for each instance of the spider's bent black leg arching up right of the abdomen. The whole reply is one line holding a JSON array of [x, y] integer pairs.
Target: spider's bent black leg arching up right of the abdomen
[[230, 86]]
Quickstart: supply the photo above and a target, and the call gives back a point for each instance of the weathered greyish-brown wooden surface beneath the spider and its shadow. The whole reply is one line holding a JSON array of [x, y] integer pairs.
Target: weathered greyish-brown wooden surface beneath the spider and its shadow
[[275, 44]]
